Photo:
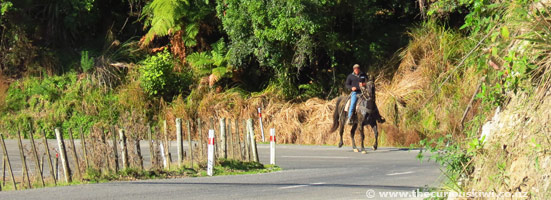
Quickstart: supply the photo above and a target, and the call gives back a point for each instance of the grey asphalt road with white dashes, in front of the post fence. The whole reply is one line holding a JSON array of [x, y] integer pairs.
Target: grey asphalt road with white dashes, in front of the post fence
[[310, 172]]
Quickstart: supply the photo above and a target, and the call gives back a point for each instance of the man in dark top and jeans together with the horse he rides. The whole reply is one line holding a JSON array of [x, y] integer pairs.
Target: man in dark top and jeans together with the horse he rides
[[361, 111]]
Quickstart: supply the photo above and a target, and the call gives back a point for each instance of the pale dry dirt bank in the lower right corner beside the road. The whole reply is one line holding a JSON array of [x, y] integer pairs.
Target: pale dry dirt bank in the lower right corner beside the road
[[516, 156]]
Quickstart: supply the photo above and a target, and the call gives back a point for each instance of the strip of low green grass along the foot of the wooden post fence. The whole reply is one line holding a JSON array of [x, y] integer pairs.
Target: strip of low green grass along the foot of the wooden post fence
[[223, 167]]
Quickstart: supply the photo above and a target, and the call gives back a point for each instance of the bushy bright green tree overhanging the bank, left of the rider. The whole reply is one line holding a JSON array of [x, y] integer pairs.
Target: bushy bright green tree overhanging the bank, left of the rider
[[306, 41]]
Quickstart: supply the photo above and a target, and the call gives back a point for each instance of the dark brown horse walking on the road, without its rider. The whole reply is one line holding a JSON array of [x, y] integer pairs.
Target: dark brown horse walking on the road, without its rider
[[366, 113]]
